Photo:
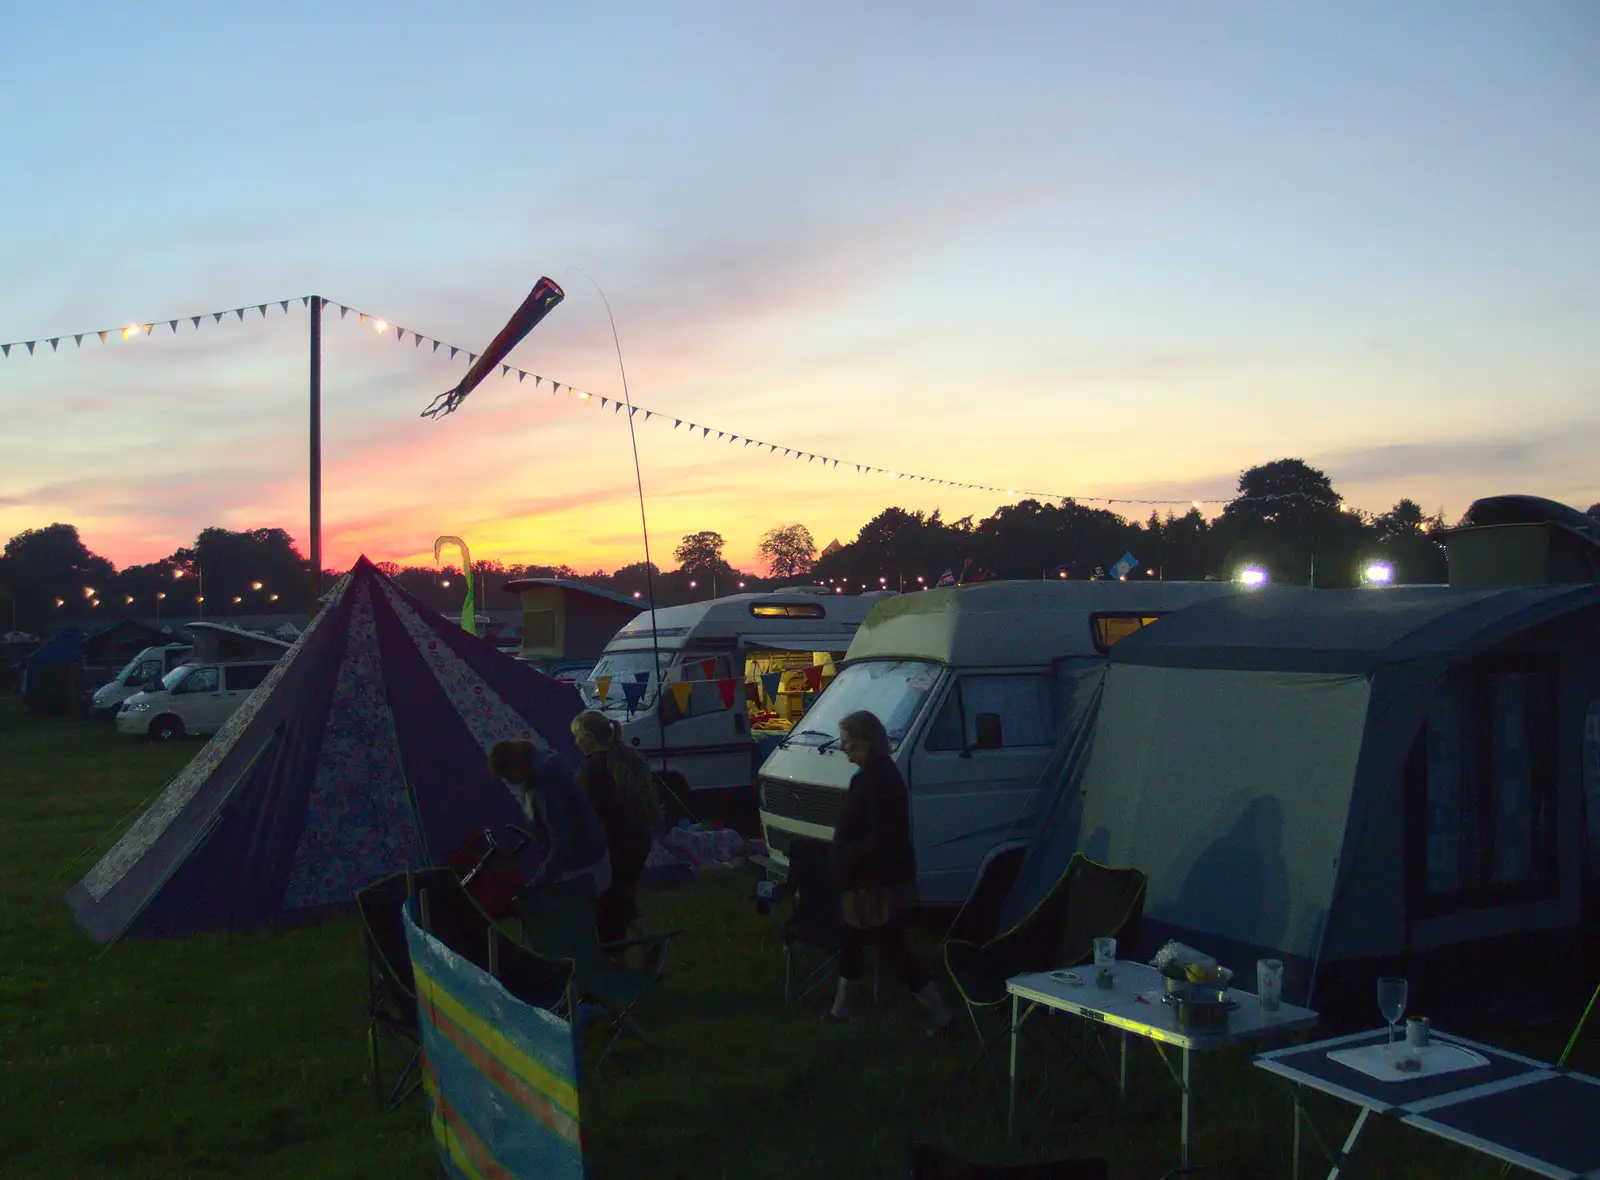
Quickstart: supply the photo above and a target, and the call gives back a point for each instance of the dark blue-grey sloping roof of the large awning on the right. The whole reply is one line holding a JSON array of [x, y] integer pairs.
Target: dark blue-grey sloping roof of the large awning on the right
[[1346, 631]]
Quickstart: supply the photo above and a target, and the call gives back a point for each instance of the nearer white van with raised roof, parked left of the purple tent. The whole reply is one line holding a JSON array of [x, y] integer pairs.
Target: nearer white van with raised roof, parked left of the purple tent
[[202, 693]]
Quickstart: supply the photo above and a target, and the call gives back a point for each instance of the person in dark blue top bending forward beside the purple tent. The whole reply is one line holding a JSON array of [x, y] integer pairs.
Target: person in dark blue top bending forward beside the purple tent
[[559, 811]]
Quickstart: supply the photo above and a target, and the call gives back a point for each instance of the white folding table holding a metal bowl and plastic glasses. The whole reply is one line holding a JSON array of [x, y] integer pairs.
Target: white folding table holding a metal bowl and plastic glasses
[[1132, 1005]]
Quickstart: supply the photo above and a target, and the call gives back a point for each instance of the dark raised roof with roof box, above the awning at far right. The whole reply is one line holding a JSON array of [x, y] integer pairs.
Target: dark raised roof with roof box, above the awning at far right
[[1524, 541]]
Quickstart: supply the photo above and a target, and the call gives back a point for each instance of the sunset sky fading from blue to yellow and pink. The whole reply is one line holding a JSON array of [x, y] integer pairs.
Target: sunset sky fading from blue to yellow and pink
[[1074, 249]]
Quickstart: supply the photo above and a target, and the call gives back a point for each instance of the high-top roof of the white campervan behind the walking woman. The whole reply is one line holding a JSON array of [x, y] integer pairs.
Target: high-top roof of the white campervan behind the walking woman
[[998, 624]]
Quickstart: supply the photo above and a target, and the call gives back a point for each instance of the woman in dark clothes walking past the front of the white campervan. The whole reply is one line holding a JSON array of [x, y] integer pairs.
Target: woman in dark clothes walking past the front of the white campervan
[[878, 872]]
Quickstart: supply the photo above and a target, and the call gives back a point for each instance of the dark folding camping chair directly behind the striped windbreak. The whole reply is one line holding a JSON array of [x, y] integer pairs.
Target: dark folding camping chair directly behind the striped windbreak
[[457, 922]]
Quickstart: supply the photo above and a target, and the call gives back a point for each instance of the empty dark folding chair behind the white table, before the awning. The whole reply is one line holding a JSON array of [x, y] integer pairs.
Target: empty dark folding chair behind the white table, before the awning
[[1089, 903]]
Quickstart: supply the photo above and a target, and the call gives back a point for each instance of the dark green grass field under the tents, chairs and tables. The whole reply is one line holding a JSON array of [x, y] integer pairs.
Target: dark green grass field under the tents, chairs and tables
[[244, 1056]]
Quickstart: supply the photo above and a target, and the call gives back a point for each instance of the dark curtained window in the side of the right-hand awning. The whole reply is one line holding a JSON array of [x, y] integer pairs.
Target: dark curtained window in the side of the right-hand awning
[[1484, 787]]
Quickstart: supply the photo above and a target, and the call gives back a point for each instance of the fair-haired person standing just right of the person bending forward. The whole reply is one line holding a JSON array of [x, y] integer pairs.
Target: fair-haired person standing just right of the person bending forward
[[618, 784]]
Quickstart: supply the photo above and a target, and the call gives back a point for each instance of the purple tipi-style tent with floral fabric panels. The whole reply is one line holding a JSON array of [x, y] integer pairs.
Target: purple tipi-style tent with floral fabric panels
[[362, 752]]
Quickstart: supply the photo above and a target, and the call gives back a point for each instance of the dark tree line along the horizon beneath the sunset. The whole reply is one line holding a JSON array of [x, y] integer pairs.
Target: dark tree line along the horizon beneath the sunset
[[1287, 519]]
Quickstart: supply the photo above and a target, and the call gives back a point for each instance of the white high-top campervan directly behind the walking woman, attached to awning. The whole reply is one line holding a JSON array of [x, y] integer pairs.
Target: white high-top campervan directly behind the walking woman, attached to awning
[[975, 685]]
